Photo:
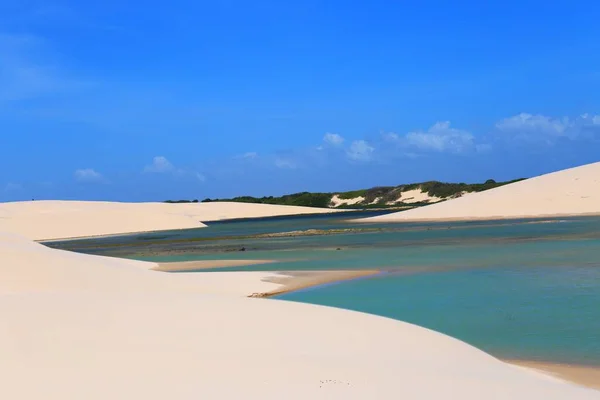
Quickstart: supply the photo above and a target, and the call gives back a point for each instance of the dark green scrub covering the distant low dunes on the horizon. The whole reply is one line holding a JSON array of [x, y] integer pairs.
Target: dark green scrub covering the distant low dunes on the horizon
[[377, 197]]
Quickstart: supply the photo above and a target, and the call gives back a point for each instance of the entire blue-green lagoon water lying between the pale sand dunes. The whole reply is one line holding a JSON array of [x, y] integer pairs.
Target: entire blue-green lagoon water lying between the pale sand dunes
[[516, 289]]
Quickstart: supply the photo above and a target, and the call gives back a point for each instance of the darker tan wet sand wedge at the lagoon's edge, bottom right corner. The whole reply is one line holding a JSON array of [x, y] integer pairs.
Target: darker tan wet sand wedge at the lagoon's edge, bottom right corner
[[583, 375]]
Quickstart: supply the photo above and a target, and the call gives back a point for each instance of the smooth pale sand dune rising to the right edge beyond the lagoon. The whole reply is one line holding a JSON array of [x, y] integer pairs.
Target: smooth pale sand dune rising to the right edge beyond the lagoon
[[569, 192]]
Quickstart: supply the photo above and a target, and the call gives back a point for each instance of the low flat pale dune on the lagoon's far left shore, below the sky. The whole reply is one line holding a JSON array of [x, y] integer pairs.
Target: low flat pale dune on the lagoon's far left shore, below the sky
[[45, 220]]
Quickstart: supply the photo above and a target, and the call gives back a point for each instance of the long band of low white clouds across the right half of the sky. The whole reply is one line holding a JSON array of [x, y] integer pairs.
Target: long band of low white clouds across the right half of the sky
[[443, 138]]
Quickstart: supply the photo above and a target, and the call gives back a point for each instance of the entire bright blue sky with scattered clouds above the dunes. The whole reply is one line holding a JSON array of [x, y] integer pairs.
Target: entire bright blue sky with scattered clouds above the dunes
[[131, 101]]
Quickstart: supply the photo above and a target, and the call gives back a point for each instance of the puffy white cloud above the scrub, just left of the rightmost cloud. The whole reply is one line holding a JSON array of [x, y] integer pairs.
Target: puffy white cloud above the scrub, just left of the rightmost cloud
[[441, 137]]
